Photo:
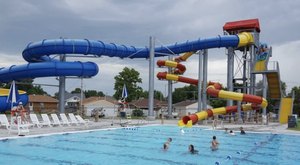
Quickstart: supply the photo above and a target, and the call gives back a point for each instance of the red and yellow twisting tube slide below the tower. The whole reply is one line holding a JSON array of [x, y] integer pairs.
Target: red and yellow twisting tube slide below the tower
[[213, 89]]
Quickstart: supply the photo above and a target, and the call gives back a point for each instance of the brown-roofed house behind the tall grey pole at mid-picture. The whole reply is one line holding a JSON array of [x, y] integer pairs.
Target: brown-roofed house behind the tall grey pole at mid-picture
[[142, 104]]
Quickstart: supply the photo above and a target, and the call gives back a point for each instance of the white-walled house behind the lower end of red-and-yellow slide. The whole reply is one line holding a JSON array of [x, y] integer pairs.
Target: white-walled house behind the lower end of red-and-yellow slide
[[187, 107]]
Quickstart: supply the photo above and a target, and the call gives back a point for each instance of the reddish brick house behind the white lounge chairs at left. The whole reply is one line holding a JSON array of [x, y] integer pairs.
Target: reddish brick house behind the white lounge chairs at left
[[42, 104]]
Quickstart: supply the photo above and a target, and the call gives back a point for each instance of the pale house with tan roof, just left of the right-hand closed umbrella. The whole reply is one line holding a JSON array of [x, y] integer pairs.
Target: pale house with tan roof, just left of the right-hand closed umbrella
[[106, 104]]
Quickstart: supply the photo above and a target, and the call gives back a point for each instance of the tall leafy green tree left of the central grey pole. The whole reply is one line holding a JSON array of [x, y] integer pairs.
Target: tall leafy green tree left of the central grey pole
[[131, 78]]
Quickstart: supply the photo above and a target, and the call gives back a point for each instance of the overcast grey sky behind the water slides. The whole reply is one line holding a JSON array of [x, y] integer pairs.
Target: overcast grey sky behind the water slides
[[132, 22]]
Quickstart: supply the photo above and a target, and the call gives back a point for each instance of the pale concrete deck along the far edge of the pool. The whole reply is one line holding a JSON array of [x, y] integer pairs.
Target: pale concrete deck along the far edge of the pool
[[109, 123]]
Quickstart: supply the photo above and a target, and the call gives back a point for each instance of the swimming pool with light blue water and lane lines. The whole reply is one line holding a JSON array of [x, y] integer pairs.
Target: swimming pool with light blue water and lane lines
[[143, 145]]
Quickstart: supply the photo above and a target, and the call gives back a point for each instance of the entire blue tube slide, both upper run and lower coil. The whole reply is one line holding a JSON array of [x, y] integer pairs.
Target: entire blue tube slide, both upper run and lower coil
[[42, 65]]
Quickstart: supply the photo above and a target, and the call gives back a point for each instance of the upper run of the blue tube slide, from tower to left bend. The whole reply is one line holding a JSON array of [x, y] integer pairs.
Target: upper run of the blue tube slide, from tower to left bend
[[40, 51]]
